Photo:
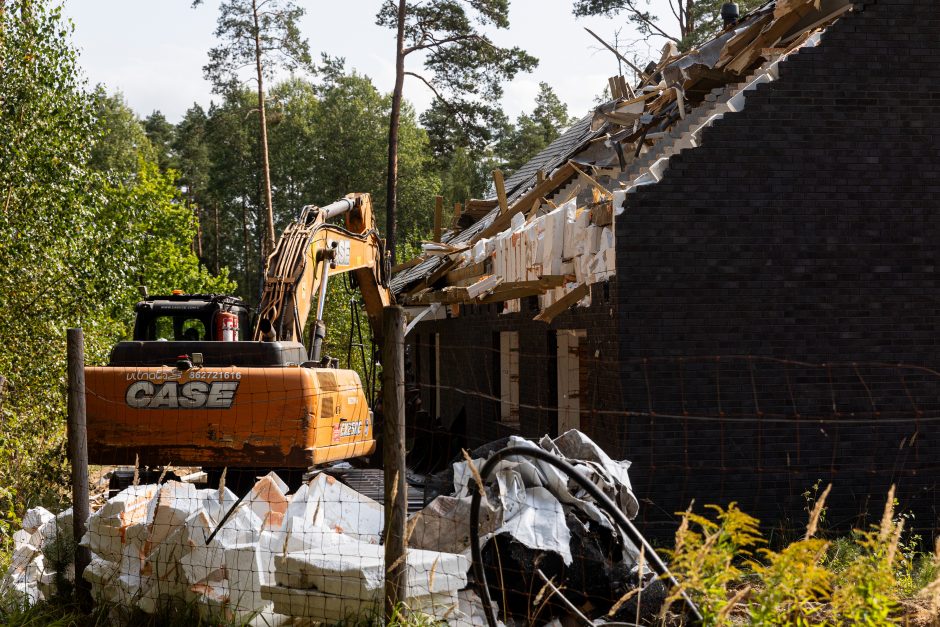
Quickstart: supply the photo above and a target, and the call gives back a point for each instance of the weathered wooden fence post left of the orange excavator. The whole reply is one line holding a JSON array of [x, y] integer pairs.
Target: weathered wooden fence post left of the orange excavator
[[78, 456]]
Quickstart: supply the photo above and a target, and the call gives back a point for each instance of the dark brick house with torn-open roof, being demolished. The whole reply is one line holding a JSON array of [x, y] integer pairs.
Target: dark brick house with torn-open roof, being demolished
[[772, 317]]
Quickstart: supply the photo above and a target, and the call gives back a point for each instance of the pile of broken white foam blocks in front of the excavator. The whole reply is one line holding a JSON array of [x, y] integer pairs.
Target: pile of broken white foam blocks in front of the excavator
[[314, 554]]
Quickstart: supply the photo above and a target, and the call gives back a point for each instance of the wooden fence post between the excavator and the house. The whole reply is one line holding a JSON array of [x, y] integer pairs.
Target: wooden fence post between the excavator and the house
[[393, 438]]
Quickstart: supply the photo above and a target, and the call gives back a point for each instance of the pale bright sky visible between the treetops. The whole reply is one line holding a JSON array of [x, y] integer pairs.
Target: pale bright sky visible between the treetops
[[153, 52]]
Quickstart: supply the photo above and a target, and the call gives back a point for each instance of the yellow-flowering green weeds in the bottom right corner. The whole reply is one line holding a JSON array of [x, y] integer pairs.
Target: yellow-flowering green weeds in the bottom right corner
[[868, 578]]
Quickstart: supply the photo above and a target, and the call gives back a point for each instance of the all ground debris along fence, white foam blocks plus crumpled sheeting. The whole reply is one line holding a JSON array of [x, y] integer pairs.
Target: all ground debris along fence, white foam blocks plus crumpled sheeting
[[317, 554]]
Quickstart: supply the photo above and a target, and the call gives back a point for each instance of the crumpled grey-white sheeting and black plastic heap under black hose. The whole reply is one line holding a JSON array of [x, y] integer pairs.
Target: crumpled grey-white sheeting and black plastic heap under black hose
[[546, 543]]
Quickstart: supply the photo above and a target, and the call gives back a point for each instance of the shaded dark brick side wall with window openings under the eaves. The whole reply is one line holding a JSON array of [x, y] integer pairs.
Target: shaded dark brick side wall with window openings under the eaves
[[470, 366]]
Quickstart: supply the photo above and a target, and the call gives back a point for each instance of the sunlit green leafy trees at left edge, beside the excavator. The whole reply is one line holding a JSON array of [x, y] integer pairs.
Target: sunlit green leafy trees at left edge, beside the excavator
[[85, 211]]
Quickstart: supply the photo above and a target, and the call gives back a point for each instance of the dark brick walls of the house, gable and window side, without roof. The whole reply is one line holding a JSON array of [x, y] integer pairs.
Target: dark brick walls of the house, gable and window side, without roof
[[805, 231]]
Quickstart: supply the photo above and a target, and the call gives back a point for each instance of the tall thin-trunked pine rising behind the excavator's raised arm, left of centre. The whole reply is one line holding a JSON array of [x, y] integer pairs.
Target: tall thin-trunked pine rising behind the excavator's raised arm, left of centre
[[262, 34]]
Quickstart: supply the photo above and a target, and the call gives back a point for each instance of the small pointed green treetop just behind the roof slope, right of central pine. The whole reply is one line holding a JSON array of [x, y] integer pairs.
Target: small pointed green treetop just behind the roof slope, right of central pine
[[534, 131]]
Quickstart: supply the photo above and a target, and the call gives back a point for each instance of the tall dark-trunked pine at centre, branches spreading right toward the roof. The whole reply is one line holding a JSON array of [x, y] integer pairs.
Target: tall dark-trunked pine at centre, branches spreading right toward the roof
[[464, 68]]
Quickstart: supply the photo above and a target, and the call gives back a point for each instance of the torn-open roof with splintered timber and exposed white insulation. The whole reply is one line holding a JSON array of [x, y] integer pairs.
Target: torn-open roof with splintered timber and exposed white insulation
[[549, 232]]
